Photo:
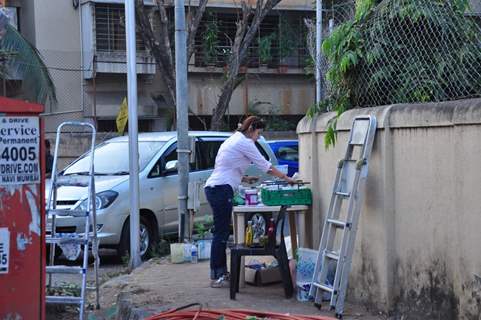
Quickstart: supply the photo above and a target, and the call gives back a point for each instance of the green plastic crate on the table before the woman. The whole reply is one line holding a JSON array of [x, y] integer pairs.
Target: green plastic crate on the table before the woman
[[286, 197]]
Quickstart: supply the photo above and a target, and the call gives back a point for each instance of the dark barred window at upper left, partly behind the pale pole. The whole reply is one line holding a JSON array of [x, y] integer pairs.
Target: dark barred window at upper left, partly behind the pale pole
[[110, 28]]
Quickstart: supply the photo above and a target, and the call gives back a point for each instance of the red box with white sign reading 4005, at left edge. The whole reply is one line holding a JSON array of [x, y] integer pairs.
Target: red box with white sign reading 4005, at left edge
[[22, 215]]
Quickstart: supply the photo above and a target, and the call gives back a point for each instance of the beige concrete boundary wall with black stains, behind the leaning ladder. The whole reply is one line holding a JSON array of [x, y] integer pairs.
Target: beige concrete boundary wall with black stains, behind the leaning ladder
[[418, 249]]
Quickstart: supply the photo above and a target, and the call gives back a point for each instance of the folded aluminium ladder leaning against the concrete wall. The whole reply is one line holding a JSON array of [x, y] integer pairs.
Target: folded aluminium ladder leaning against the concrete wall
[[339, 230]]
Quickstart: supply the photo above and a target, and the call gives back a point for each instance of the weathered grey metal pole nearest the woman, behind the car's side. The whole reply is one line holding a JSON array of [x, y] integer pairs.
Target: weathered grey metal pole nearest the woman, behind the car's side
[[181, 92]]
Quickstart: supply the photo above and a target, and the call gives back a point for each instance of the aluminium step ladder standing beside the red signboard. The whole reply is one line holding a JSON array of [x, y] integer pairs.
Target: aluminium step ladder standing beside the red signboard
[[87, 239]]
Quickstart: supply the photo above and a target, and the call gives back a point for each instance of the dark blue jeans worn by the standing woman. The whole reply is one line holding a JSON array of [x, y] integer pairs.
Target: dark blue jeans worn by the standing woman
[[220, 199]]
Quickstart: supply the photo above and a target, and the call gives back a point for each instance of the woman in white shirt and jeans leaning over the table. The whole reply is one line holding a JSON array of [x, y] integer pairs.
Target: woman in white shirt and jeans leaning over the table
[[233, 158]]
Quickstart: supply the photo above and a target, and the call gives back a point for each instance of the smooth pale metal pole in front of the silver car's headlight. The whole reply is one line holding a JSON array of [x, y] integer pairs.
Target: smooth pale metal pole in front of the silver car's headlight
[[133, 134]]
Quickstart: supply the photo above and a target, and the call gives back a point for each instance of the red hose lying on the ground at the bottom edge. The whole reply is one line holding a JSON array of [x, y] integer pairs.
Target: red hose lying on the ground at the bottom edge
[[228, 314]]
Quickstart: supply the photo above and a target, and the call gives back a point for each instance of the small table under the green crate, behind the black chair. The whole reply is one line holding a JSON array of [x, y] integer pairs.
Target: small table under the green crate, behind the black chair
[[293, 212]]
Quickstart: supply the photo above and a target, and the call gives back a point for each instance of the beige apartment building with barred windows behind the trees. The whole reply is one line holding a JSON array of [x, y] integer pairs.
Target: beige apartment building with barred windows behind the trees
[[83, 45]]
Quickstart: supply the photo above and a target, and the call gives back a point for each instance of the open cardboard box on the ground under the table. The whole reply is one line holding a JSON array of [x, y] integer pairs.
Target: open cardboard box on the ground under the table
[[262, 276]]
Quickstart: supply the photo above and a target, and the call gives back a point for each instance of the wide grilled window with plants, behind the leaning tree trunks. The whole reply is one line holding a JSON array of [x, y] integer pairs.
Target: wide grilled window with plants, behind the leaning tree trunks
[[285, 33]]
